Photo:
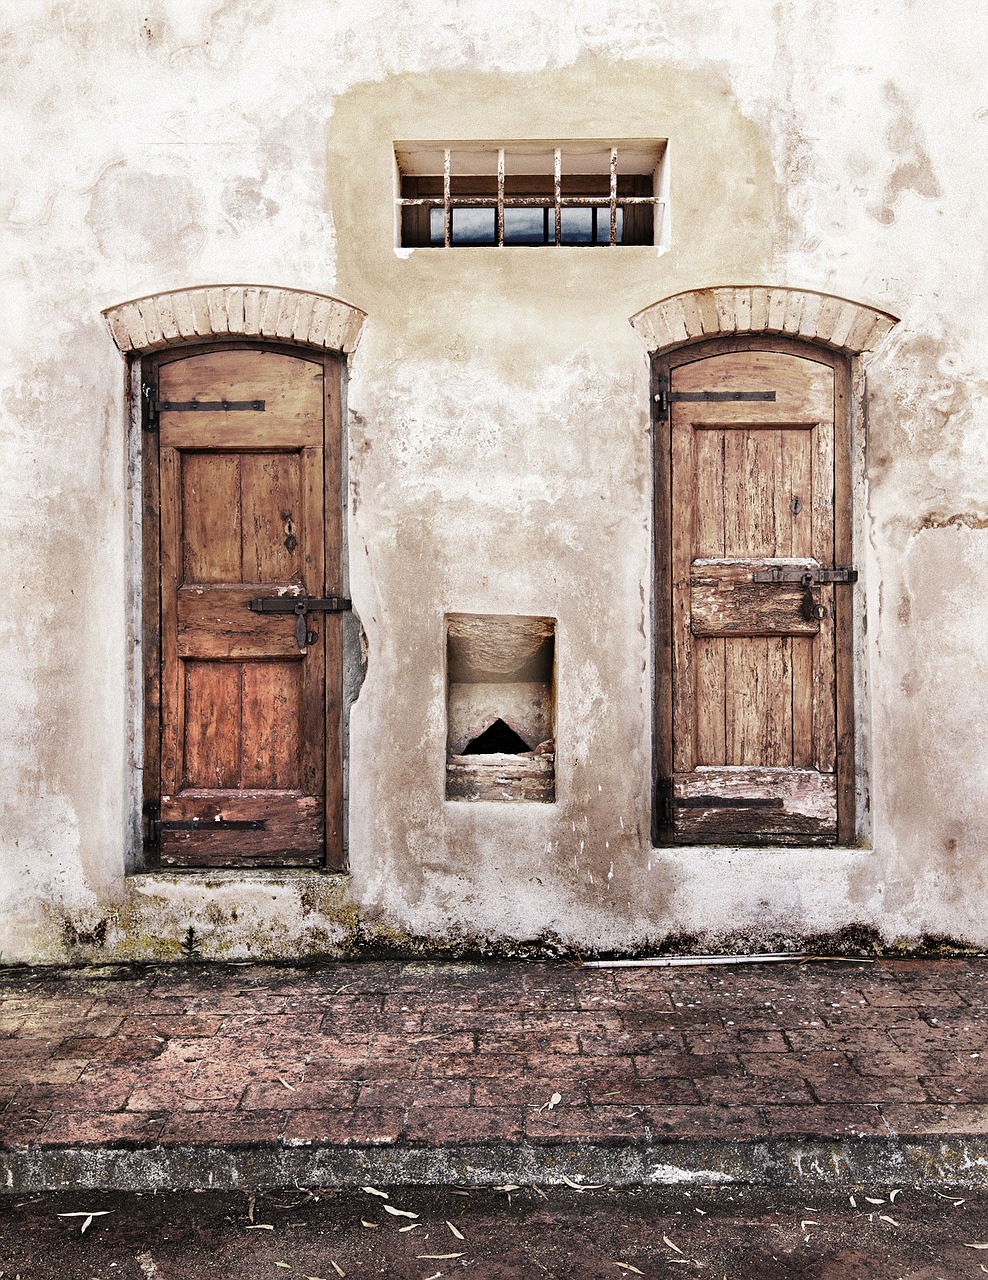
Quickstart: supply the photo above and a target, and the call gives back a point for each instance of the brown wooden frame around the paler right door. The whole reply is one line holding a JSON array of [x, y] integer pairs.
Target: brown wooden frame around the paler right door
[[662, 365]]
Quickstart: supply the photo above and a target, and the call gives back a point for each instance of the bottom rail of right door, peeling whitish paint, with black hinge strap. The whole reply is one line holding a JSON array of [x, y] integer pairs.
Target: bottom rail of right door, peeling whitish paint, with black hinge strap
[[781, 806]]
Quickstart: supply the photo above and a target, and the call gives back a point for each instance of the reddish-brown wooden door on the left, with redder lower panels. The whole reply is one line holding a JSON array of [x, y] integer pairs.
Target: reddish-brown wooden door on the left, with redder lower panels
[[244, 707]]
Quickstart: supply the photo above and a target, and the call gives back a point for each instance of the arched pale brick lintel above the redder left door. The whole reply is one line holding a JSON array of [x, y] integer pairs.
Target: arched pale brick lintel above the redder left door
[[239, 312]]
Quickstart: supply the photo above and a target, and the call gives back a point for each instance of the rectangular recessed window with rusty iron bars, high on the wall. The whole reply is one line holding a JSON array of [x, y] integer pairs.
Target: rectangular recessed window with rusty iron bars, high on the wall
[[515, 194]]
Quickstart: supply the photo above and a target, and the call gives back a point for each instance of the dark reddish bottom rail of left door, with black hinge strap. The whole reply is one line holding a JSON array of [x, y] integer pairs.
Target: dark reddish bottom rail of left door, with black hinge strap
[[292, 834]]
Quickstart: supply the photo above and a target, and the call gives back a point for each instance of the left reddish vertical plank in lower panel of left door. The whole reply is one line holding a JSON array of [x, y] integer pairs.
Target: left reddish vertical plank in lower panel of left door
[[213, 725]]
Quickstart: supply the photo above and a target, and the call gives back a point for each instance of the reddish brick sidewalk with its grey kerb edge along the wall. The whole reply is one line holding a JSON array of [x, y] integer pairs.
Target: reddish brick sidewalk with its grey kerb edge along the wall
[[418, 1072]]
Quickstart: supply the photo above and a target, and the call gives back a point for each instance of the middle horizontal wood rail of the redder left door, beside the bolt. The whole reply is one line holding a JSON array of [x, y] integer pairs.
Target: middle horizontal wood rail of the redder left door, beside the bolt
[[217, 623]]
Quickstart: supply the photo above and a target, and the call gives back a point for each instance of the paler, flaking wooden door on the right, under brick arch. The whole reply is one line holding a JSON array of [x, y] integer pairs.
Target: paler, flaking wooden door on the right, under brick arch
[[756, 742]]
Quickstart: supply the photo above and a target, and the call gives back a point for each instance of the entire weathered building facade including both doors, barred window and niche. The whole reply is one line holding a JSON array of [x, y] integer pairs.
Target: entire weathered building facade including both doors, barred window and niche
[[492, 479]]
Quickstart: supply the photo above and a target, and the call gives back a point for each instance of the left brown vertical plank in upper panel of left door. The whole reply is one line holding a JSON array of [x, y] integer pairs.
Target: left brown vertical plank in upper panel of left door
[[212, 518]]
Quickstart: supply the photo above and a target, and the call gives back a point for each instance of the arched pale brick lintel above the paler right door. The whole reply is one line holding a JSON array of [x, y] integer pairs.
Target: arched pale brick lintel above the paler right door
[[697, 314]]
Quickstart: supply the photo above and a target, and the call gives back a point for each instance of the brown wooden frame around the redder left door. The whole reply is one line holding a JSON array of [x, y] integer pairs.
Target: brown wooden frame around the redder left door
[[147, 577]]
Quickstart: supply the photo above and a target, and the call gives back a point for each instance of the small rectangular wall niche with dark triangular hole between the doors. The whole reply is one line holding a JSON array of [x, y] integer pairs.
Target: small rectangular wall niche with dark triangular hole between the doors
[[501, 723]]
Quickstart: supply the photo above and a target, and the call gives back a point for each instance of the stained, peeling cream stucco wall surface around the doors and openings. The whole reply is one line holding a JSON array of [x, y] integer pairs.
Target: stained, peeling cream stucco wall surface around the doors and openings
[[498, 438]]
